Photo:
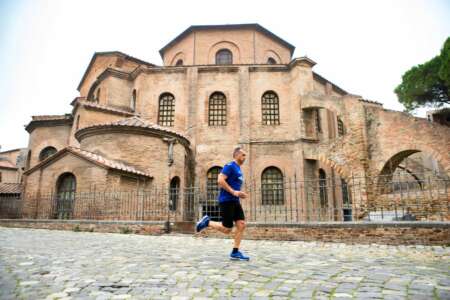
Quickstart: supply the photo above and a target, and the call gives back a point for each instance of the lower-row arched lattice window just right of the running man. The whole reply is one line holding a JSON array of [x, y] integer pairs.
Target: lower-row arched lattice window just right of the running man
[[272, 187]]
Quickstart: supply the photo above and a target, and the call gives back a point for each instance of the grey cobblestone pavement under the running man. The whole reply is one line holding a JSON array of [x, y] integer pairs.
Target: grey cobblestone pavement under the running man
[[44, 264]]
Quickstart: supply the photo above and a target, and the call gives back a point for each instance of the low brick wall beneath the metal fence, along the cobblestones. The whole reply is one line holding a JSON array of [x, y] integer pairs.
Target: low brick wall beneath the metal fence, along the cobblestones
[[395, 233]]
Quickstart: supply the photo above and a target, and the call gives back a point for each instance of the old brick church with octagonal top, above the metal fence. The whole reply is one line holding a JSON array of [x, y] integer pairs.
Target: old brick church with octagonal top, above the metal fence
[[137, 125]]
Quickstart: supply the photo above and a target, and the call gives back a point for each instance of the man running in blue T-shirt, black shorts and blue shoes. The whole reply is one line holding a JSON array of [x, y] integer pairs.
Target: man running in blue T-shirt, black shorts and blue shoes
[[230, 181]]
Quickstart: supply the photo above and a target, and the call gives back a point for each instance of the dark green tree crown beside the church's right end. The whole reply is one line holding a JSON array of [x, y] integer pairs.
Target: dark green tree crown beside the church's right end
[[427, 85]]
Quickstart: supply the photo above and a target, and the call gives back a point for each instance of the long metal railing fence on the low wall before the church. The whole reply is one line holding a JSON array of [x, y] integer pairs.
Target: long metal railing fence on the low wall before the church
[[287, 201]]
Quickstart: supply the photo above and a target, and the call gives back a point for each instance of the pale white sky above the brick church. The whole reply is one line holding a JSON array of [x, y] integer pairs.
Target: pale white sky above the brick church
[[362, 46]]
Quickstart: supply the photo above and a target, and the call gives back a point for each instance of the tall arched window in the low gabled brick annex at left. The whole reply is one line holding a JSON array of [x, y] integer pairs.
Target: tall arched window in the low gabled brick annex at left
[[65, 196]]
